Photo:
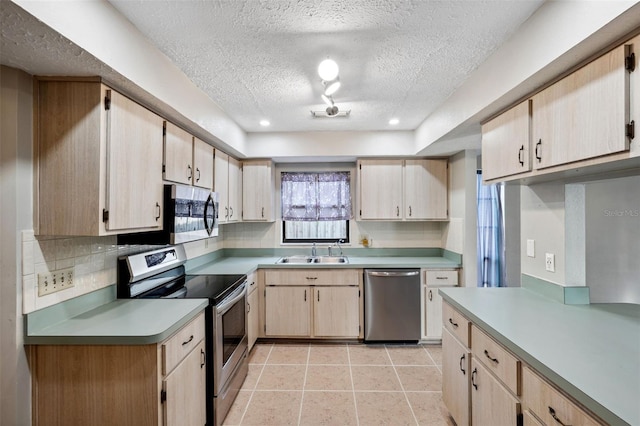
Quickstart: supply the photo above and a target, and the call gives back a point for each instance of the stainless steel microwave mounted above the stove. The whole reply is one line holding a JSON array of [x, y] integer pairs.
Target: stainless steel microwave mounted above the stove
[[190, 214]]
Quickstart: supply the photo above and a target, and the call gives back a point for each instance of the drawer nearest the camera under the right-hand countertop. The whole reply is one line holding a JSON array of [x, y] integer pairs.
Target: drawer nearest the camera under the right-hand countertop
[[550, 405]]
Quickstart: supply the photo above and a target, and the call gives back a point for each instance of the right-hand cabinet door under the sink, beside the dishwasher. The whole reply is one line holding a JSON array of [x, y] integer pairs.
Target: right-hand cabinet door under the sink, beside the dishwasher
[[336, 311]]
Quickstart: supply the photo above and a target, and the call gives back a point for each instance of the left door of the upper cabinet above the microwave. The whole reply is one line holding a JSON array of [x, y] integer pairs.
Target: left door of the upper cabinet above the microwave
[[178, 146]]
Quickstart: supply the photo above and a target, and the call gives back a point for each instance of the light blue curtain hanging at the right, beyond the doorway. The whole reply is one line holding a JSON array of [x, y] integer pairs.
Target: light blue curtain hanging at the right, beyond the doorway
[[491, 271]]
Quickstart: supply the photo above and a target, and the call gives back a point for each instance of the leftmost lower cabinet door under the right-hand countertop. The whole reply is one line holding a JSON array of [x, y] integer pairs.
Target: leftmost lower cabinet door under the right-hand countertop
[[456, 378]]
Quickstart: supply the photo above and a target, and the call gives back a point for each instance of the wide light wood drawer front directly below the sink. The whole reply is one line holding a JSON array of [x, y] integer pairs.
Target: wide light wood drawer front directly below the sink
[[313, 277]]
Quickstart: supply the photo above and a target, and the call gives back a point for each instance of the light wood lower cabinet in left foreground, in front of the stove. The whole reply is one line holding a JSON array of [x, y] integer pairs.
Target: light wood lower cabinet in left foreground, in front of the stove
[[160, 384]]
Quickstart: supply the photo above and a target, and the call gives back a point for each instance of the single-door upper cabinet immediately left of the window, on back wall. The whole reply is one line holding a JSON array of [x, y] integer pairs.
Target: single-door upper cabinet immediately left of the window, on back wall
[[258, 191]]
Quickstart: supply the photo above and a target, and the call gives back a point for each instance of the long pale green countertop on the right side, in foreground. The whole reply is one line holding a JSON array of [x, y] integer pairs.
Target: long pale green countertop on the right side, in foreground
[[590, 351]]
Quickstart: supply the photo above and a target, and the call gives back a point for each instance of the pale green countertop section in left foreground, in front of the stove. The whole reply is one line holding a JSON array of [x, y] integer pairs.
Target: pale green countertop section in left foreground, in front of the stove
[[120, 322]]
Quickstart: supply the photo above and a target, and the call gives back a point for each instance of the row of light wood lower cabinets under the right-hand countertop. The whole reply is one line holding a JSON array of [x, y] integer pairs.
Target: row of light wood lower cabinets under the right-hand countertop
[[501, 389]]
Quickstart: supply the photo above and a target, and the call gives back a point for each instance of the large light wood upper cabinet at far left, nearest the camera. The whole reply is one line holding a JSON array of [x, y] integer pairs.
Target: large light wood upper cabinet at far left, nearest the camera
[[99, 161]]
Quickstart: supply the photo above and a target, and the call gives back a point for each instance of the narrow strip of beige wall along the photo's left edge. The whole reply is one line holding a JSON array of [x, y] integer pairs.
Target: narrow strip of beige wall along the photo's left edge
[[15, 214]]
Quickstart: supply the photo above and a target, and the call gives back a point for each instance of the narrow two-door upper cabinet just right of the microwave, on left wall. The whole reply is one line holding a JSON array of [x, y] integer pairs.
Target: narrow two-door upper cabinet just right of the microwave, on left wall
[[228, 184]]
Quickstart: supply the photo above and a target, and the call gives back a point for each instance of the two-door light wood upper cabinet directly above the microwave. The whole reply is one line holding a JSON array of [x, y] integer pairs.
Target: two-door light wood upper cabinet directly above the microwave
[[187, 160]]
